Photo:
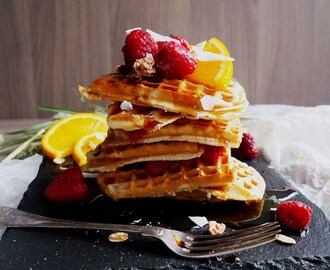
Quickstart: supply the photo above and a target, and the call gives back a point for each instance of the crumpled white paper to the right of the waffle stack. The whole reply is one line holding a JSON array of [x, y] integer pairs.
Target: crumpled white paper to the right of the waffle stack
[[296, 142]]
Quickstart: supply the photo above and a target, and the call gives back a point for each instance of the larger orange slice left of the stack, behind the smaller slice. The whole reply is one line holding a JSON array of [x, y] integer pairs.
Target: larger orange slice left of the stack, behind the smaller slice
[[60, 138]]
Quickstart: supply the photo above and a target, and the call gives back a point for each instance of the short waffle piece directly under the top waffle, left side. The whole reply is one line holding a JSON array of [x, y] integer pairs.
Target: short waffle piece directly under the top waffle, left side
[[139, 117]]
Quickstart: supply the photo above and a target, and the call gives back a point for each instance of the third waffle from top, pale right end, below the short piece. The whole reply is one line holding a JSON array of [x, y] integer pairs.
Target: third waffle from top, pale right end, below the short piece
[[227, 134]]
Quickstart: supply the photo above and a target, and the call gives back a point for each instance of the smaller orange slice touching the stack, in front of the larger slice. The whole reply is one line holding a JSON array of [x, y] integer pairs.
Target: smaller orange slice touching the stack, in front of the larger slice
[[86, 144]]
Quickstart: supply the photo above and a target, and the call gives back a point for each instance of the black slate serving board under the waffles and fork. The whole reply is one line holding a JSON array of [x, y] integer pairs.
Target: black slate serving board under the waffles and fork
[[88, 249]]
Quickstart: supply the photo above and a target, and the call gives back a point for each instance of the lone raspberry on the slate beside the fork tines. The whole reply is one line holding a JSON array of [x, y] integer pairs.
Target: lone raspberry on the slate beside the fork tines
[[294, 215]]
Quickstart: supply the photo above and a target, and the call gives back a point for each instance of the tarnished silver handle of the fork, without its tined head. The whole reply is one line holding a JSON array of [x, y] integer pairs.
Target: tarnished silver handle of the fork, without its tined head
[[12, 217]]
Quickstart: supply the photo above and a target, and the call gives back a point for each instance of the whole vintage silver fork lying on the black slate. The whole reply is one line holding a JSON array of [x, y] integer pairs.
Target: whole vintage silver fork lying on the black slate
[[183, 244]]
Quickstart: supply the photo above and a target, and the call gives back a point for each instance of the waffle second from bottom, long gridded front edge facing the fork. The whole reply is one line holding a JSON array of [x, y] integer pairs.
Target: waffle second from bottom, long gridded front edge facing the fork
[[182, 176]]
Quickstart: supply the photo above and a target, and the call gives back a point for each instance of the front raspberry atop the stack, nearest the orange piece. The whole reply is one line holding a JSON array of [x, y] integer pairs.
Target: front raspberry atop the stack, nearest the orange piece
[[174, 61]]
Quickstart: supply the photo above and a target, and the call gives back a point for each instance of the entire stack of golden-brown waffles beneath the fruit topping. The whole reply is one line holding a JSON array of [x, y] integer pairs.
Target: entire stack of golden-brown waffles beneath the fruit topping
[[171, 138]]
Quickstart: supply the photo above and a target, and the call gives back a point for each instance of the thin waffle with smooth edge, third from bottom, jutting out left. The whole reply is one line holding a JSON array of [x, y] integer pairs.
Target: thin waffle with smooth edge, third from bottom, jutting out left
[[107, 158]]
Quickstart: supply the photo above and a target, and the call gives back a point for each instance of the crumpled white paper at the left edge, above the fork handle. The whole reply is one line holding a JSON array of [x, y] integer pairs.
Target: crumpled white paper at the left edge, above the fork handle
[[15, 176]]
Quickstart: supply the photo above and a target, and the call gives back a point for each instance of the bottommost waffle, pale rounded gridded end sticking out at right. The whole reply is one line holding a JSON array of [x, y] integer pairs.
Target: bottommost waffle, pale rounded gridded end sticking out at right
[[248, 186]]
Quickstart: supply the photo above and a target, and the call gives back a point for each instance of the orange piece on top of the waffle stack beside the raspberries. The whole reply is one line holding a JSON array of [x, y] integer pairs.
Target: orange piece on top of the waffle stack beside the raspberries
[[214, 73]]
